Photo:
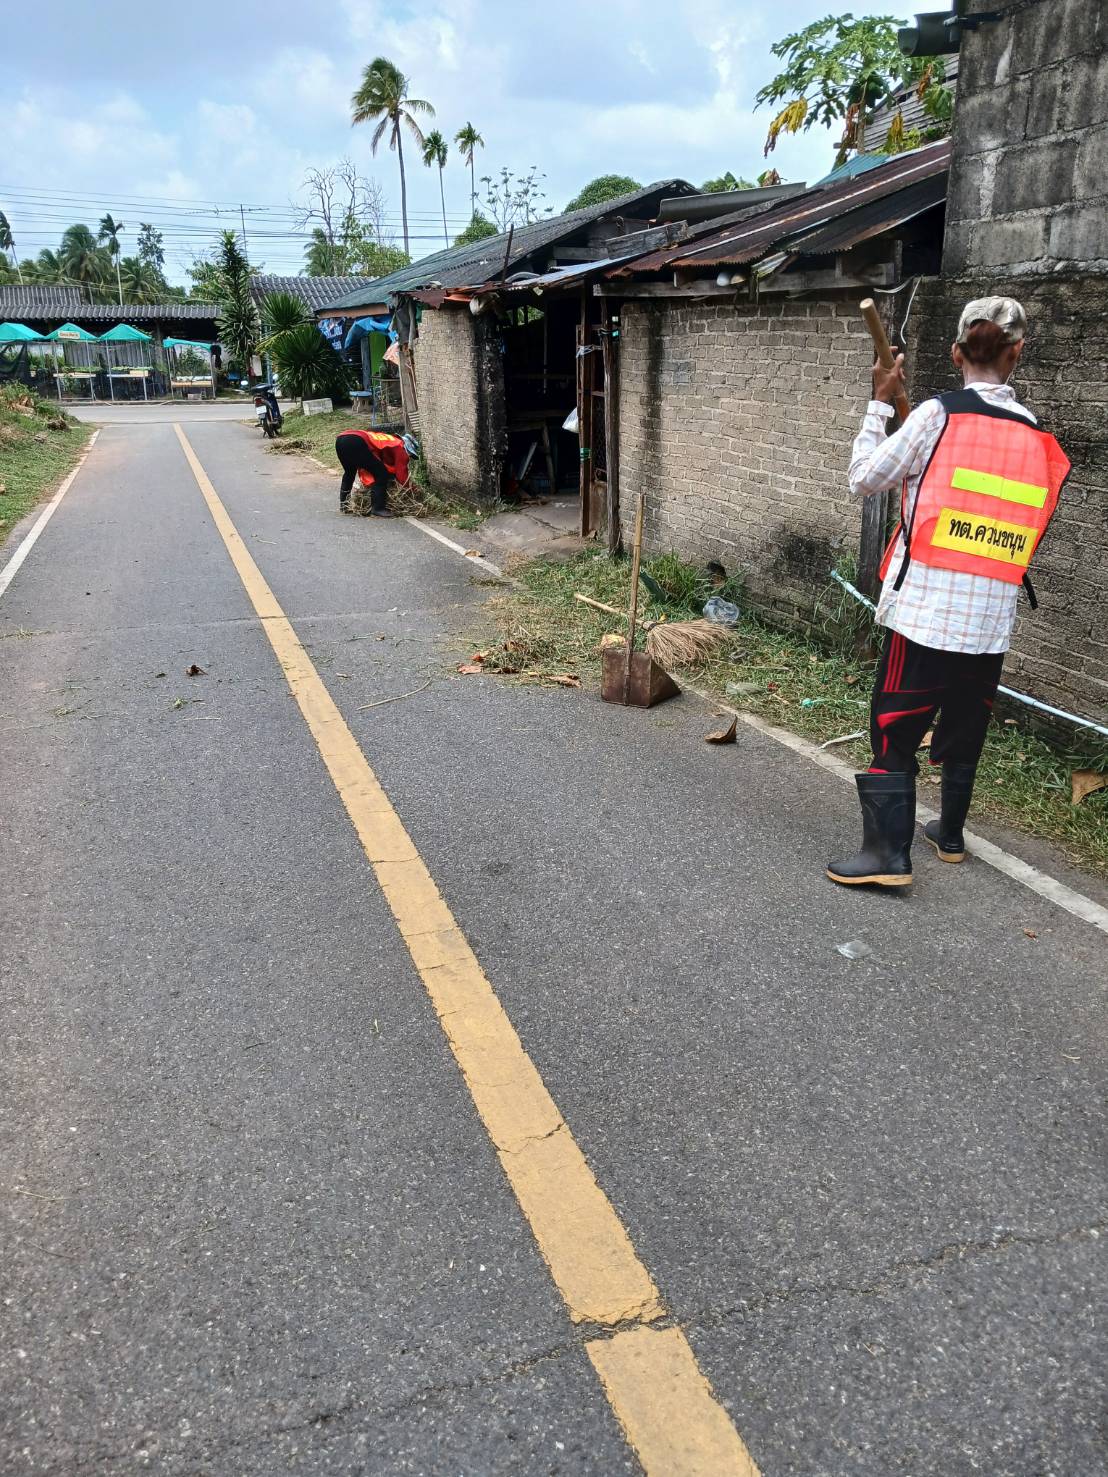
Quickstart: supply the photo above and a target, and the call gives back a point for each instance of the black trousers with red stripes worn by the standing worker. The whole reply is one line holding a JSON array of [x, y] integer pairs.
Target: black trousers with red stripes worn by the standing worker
[[914, 685]]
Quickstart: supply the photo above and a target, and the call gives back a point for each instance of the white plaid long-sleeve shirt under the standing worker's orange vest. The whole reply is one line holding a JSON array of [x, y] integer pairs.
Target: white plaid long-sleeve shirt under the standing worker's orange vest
[[936, 608]]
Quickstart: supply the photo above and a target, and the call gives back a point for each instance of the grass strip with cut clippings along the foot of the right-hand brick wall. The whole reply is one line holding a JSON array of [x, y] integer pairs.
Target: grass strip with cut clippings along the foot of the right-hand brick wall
[[1025, 782]]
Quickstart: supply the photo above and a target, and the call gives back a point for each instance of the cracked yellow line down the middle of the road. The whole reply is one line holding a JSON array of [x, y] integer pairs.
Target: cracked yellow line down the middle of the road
[[651, 1376]]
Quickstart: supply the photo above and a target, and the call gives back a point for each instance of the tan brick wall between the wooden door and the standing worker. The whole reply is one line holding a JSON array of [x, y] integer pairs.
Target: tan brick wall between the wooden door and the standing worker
[[739, 425]]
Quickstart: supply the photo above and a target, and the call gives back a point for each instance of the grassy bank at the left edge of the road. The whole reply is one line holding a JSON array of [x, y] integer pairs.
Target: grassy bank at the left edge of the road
[[39, 445]]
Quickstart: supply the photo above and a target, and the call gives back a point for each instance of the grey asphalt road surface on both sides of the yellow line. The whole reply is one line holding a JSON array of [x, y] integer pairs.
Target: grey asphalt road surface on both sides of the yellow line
[[252, 1221]]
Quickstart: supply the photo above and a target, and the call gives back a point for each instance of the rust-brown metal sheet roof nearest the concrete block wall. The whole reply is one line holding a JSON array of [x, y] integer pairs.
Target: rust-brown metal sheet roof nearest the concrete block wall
[[871, 197]]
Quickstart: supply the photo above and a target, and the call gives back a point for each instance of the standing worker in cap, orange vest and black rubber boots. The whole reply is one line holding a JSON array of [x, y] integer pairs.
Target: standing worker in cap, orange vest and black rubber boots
[[979, 487]]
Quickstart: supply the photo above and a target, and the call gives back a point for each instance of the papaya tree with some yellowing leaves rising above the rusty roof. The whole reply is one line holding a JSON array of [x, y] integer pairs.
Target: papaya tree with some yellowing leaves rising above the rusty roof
[[841, 70]]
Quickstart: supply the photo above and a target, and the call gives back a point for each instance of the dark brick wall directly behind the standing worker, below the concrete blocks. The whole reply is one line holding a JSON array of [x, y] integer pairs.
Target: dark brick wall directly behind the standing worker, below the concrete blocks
[[1060, 654]]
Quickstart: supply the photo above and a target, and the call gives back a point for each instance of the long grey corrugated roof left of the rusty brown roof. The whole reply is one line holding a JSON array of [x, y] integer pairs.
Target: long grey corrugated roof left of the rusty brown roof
[[481, 261]]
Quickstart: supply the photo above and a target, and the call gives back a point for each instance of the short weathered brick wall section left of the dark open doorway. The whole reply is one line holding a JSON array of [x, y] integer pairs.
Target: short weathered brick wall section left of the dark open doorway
[[460, 385]]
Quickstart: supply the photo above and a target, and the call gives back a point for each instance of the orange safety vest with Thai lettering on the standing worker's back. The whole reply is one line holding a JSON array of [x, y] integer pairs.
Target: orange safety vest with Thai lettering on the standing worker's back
[[986, 497]]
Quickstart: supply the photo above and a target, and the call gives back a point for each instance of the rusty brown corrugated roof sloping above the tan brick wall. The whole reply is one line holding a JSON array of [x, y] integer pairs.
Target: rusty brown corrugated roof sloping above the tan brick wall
[[819, 208]]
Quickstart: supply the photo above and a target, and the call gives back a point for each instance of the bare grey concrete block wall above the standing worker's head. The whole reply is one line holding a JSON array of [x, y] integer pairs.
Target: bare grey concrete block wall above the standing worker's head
[[1029, 181]]
